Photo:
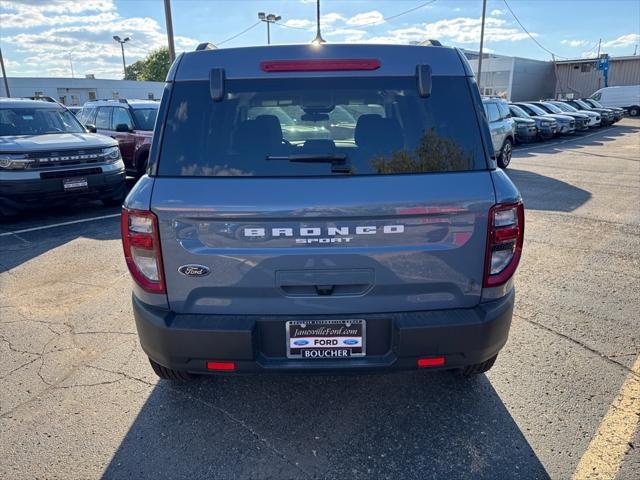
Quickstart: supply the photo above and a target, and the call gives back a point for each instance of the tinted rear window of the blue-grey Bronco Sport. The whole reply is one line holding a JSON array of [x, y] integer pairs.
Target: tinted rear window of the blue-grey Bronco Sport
[[321, 126]]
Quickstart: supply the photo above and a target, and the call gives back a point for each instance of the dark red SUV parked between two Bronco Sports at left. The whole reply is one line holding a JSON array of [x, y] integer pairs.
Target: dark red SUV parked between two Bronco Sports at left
[[130, 122]]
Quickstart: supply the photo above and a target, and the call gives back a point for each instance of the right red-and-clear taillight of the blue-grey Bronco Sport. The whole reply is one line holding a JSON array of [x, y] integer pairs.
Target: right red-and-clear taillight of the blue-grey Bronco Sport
[[504, 243]]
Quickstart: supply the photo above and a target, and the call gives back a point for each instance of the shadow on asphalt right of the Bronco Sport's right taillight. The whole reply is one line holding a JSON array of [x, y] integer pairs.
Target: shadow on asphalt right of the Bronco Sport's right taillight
[[540, 192]]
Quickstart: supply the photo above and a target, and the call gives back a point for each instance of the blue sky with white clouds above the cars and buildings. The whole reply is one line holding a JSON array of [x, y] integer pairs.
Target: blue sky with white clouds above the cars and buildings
[[40, 37]]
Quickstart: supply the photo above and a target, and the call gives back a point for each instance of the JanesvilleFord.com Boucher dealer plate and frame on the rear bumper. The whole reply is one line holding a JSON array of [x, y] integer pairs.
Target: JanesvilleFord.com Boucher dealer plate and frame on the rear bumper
[[295, 330]]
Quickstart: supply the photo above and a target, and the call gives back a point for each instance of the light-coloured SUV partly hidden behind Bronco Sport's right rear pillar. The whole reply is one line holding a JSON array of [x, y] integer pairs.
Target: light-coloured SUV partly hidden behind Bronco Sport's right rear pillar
[[502, 128]]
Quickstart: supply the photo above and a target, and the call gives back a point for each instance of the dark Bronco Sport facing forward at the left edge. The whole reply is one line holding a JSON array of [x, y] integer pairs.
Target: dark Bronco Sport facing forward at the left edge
[[47, 157]]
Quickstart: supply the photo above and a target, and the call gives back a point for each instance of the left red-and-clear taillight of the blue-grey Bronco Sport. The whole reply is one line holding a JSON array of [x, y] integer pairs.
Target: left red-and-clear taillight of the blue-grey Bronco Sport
[[141, 244]]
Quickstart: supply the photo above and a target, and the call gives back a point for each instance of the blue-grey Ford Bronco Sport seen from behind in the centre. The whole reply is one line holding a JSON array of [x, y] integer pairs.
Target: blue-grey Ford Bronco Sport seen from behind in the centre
[[392, 249]]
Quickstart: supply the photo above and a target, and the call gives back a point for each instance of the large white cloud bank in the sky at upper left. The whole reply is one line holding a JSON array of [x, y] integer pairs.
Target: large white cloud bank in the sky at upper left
[[83, 29]]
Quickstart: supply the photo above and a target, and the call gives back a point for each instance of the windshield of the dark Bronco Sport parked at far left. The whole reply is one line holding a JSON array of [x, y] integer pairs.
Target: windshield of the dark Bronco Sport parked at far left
[[37, 121]]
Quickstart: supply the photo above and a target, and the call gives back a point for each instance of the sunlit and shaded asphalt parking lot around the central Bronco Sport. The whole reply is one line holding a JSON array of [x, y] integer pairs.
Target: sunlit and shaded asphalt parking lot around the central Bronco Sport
[[79, 400]]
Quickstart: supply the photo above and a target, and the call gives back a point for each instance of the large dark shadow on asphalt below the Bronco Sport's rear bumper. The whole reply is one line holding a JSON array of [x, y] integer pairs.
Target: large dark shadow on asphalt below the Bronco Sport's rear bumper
[[405, 425]]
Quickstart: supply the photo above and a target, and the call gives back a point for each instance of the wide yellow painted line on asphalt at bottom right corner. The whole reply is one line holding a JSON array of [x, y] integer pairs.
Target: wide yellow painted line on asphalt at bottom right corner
[[608, 447]]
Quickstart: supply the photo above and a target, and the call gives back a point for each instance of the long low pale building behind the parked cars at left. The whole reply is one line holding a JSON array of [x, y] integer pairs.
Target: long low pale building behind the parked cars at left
[[77, 91]]
